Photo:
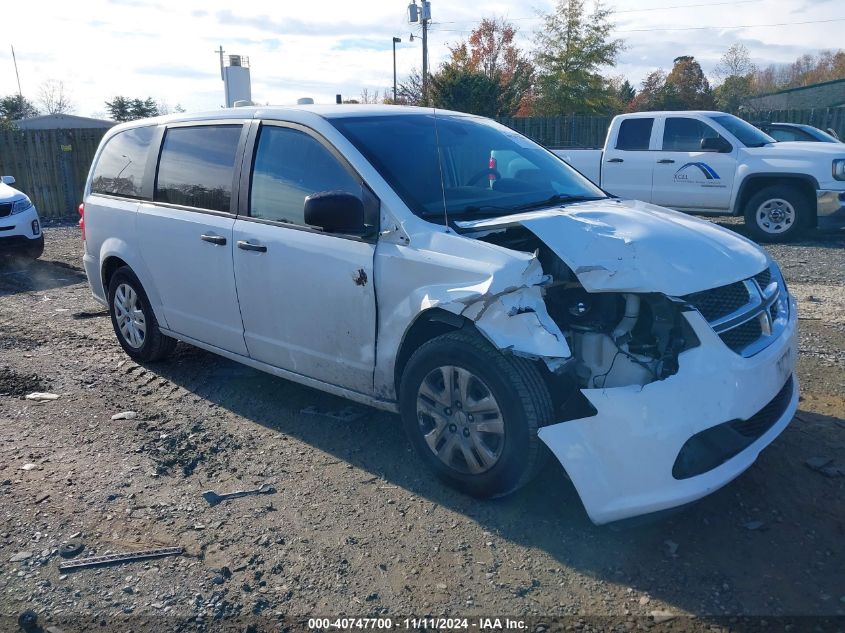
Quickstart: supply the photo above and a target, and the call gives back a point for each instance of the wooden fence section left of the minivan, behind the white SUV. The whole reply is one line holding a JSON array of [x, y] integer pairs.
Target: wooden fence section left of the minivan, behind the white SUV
[[50, 166]]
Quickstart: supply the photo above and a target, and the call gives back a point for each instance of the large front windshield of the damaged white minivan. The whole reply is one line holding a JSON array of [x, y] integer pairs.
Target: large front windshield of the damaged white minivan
[[452, 166]]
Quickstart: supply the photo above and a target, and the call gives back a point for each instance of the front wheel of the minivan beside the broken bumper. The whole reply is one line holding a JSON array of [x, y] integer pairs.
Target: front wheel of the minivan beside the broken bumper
[[472, 414]]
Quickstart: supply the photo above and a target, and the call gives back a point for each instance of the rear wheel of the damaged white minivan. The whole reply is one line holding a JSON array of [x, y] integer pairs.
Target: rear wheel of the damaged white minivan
[[133, 320]]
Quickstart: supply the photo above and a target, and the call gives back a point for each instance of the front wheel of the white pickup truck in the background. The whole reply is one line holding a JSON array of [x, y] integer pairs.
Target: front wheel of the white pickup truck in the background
[[777, 214]]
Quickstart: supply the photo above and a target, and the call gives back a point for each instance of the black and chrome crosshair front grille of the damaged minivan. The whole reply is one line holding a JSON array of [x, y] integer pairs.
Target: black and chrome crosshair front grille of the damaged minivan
[[747, 315]]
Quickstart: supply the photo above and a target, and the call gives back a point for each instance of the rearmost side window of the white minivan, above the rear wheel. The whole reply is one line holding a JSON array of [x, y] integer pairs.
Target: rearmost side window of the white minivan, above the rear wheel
[[120, 169]]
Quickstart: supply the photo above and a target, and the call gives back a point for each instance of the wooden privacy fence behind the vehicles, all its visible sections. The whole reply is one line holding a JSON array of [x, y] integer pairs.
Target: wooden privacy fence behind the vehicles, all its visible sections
[[51, 165]]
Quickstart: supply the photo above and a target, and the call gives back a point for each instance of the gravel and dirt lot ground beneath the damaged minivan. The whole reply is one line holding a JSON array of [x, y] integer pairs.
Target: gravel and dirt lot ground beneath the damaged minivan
[[356, 526]]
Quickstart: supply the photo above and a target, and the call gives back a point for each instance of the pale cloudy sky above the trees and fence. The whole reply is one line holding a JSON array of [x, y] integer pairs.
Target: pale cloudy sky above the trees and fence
[[140, 48]]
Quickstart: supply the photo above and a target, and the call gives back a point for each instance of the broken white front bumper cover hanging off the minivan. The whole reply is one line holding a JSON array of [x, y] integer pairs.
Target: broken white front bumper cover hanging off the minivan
[[621, 460]]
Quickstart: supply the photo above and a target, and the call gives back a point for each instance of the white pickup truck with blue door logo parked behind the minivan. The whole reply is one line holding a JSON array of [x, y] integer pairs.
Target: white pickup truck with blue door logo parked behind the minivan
[[716, 163]]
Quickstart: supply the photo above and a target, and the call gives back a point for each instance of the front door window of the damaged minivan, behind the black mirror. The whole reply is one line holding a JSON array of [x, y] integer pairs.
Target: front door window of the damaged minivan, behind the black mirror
[[290, 165]]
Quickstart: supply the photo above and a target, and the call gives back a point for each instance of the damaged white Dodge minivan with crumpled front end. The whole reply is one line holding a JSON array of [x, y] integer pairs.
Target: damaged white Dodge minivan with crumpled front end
[[444, 267]]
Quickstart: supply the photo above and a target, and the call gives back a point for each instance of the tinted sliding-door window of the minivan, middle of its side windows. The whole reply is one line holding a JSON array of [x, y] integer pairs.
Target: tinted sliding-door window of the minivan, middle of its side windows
[[197, 166]]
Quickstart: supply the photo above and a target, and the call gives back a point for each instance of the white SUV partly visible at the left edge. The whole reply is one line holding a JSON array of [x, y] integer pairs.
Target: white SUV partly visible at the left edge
[[20, 228]]
